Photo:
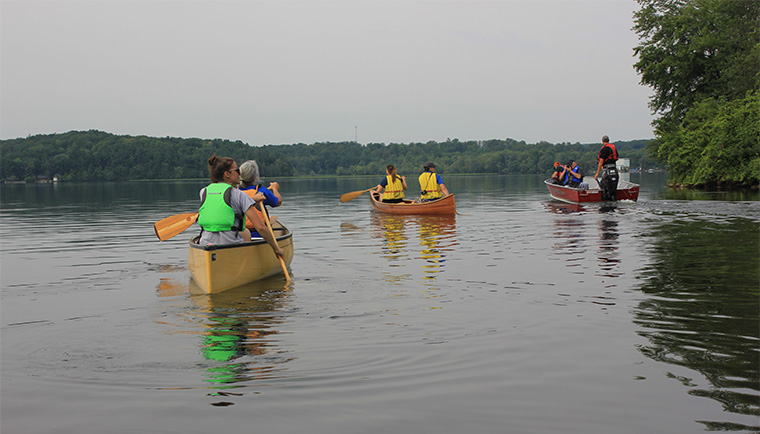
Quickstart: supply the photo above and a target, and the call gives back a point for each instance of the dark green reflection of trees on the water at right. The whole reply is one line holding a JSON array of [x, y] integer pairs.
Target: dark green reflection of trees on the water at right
[[702, 310]]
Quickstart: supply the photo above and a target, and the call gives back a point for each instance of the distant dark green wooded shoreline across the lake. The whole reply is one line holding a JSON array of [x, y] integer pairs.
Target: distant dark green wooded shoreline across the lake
[[101, 156]]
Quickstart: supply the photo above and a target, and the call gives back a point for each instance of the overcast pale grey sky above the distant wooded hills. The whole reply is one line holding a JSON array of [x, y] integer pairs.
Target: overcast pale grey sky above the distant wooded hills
[[282, 72]]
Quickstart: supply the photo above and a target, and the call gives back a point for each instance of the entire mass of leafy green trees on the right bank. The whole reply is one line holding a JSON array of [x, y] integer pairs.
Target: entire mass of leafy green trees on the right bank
[[702, 58]]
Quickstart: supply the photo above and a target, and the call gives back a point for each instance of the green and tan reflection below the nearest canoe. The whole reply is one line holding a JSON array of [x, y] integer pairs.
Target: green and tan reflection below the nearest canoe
[[238, 330]]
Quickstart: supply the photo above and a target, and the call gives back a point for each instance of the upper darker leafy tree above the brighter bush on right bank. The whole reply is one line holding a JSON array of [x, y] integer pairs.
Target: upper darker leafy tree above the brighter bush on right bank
[[696, 49]]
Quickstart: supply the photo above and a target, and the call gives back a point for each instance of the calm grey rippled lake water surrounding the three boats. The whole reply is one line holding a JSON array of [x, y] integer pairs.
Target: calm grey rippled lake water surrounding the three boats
[[518, 315]]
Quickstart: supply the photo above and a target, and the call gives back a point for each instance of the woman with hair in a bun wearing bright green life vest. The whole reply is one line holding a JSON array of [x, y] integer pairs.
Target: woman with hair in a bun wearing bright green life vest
[[224, 208]]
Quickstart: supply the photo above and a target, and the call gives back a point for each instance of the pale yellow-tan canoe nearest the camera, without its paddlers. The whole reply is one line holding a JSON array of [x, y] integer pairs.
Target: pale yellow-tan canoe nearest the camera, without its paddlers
[[222, 266]]
